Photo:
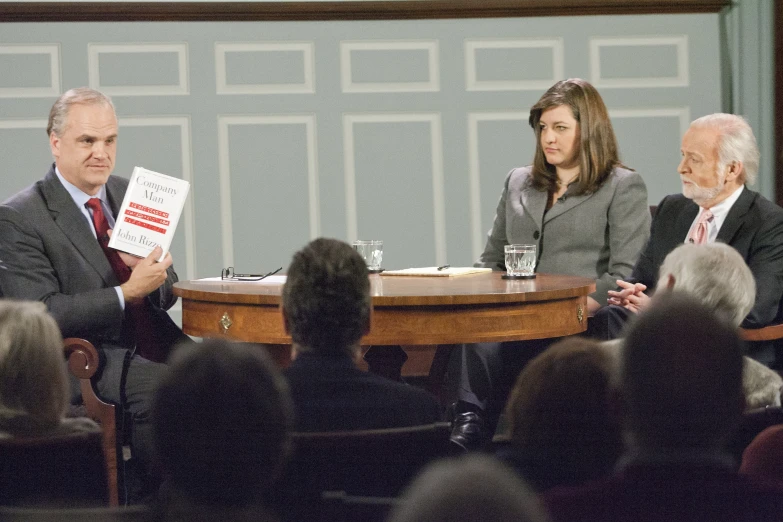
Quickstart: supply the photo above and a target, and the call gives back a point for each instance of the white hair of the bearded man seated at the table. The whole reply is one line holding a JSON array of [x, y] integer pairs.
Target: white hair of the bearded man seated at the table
[[737, 142]]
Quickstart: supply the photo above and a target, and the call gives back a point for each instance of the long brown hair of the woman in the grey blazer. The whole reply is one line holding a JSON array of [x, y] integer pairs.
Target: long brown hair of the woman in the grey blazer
[[595, 148]]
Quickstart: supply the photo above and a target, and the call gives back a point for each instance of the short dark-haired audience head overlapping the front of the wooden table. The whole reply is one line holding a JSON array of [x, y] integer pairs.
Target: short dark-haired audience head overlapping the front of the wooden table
[[326, 298]]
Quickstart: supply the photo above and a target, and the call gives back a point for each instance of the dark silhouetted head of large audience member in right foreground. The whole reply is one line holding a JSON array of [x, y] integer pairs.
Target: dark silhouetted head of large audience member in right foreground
[[681, 377]]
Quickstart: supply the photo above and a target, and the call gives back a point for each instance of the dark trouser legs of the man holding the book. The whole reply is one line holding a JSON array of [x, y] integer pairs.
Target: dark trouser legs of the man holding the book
[[140, 381]]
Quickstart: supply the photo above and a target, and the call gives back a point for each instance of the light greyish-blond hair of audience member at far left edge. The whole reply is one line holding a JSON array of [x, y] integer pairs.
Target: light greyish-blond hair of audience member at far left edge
[[33, 379]]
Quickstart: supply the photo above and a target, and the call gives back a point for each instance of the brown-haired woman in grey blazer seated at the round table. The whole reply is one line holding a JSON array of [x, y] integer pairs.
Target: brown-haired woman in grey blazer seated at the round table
[[583, 209]]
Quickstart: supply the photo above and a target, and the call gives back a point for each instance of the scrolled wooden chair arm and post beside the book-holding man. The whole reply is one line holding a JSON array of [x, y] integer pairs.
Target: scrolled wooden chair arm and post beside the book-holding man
[[83, 362]]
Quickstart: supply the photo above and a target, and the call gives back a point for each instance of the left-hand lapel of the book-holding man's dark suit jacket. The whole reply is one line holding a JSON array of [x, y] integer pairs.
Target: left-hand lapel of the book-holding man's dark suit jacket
[[75, 227]]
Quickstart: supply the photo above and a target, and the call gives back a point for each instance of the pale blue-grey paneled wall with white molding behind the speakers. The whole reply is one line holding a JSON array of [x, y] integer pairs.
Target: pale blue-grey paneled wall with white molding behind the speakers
[[394, 130]]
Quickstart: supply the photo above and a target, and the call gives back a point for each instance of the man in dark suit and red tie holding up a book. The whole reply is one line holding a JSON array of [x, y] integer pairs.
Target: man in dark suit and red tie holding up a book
[[53, 248]]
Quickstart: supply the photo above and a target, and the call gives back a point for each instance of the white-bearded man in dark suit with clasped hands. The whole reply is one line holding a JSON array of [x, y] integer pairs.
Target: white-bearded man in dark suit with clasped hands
[[719, 156]]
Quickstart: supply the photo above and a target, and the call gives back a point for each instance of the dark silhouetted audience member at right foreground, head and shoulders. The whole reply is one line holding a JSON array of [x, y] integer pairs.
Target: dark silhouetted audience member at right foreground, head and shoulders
[[681, 398]]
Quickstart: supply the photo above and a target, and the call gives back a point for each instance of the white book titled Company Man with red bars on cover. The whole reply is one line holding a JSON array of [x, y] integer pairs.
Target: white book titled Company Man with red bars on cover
[[149, 213]]
